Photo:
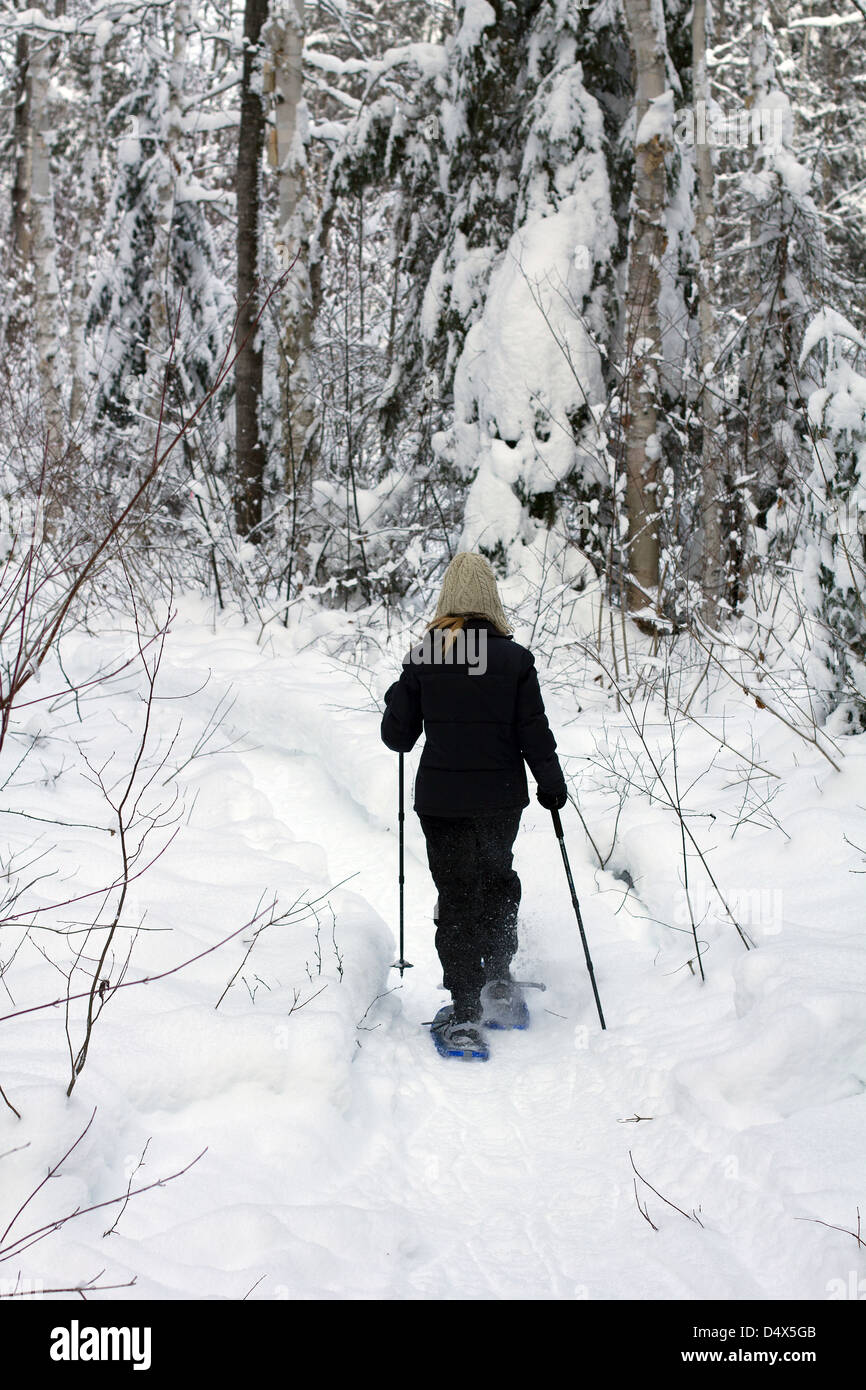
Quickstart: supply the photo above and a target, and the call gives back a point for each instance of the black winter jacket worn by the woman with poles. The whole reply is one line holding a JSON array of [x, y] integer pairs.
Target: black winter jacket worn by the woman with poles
[[480, 726]]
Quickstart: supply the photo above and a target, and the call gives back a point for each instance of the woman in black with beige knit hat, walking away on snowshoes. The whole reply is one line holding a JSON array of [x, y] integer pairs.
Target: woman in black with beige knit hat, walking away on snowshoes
[[475, 693]]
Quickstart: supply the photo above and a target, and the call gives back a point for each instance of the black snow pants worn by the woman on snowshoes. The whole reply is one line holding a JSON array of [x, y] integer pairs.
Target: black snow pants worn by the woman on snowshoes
[[471, 861]]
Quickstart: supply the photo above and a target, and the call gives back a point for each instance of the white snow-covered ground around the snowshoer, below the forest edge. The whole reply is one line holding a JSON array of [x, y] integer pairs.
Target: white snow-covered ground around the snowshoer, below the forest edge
[[703, 1147]]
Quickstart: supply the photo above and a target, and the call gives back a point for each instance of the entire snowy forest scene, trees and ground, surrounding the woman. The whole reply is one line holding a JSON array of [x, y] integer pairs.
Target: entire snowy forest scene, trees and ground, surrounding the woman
[[300, 302]]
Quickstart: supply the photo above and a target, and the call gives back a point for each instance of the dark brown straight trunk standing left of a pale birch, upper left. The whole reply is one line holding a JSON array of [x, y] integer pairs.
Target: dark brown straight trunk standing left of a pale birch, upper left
[[250, 448]]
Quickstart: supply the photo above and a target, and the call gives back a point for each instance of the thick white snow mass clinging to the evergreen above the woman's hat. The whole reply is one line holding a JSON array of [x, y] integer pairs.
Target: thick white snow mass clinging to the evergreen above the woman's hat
[[530, 362]]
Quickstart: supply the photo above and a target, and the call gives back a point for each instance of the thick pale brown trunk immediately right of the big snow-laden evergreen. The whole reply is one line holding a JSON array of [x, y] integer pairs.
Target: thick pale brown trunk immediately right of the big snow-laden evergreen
[[647, 244]]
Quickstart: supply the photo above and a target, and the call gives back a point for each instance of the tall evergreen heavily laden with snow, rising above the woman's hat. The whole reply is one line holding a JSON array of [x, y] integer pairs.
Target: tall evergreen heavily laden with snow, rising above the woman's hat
[[516, 301]]
